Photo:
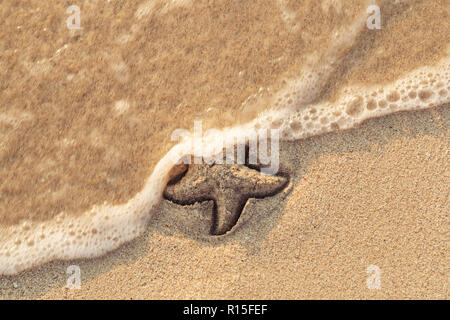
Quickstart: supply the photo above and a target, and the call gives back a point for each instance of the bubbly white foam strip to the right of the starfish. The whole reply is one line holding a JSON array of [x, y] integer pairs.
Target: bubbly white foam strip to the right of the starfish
[[419, 89]]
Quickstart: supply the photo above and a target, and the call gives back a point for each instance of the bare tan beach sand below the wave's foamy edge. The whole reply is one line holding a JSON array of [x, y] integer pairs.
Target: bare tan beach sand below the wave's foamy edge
[[374, 195]]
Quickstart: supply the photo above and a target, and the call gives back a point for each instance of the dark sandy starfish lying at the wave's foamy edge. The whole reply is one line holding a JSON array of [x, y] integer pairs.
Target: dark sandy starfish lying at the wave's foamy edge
[[229, 186]]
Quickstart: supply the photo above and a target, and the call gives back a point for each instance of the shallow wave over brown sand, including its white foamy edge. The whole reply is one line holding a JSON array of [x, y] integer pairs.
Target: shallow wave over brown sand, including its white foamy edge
[[86, 115]]
